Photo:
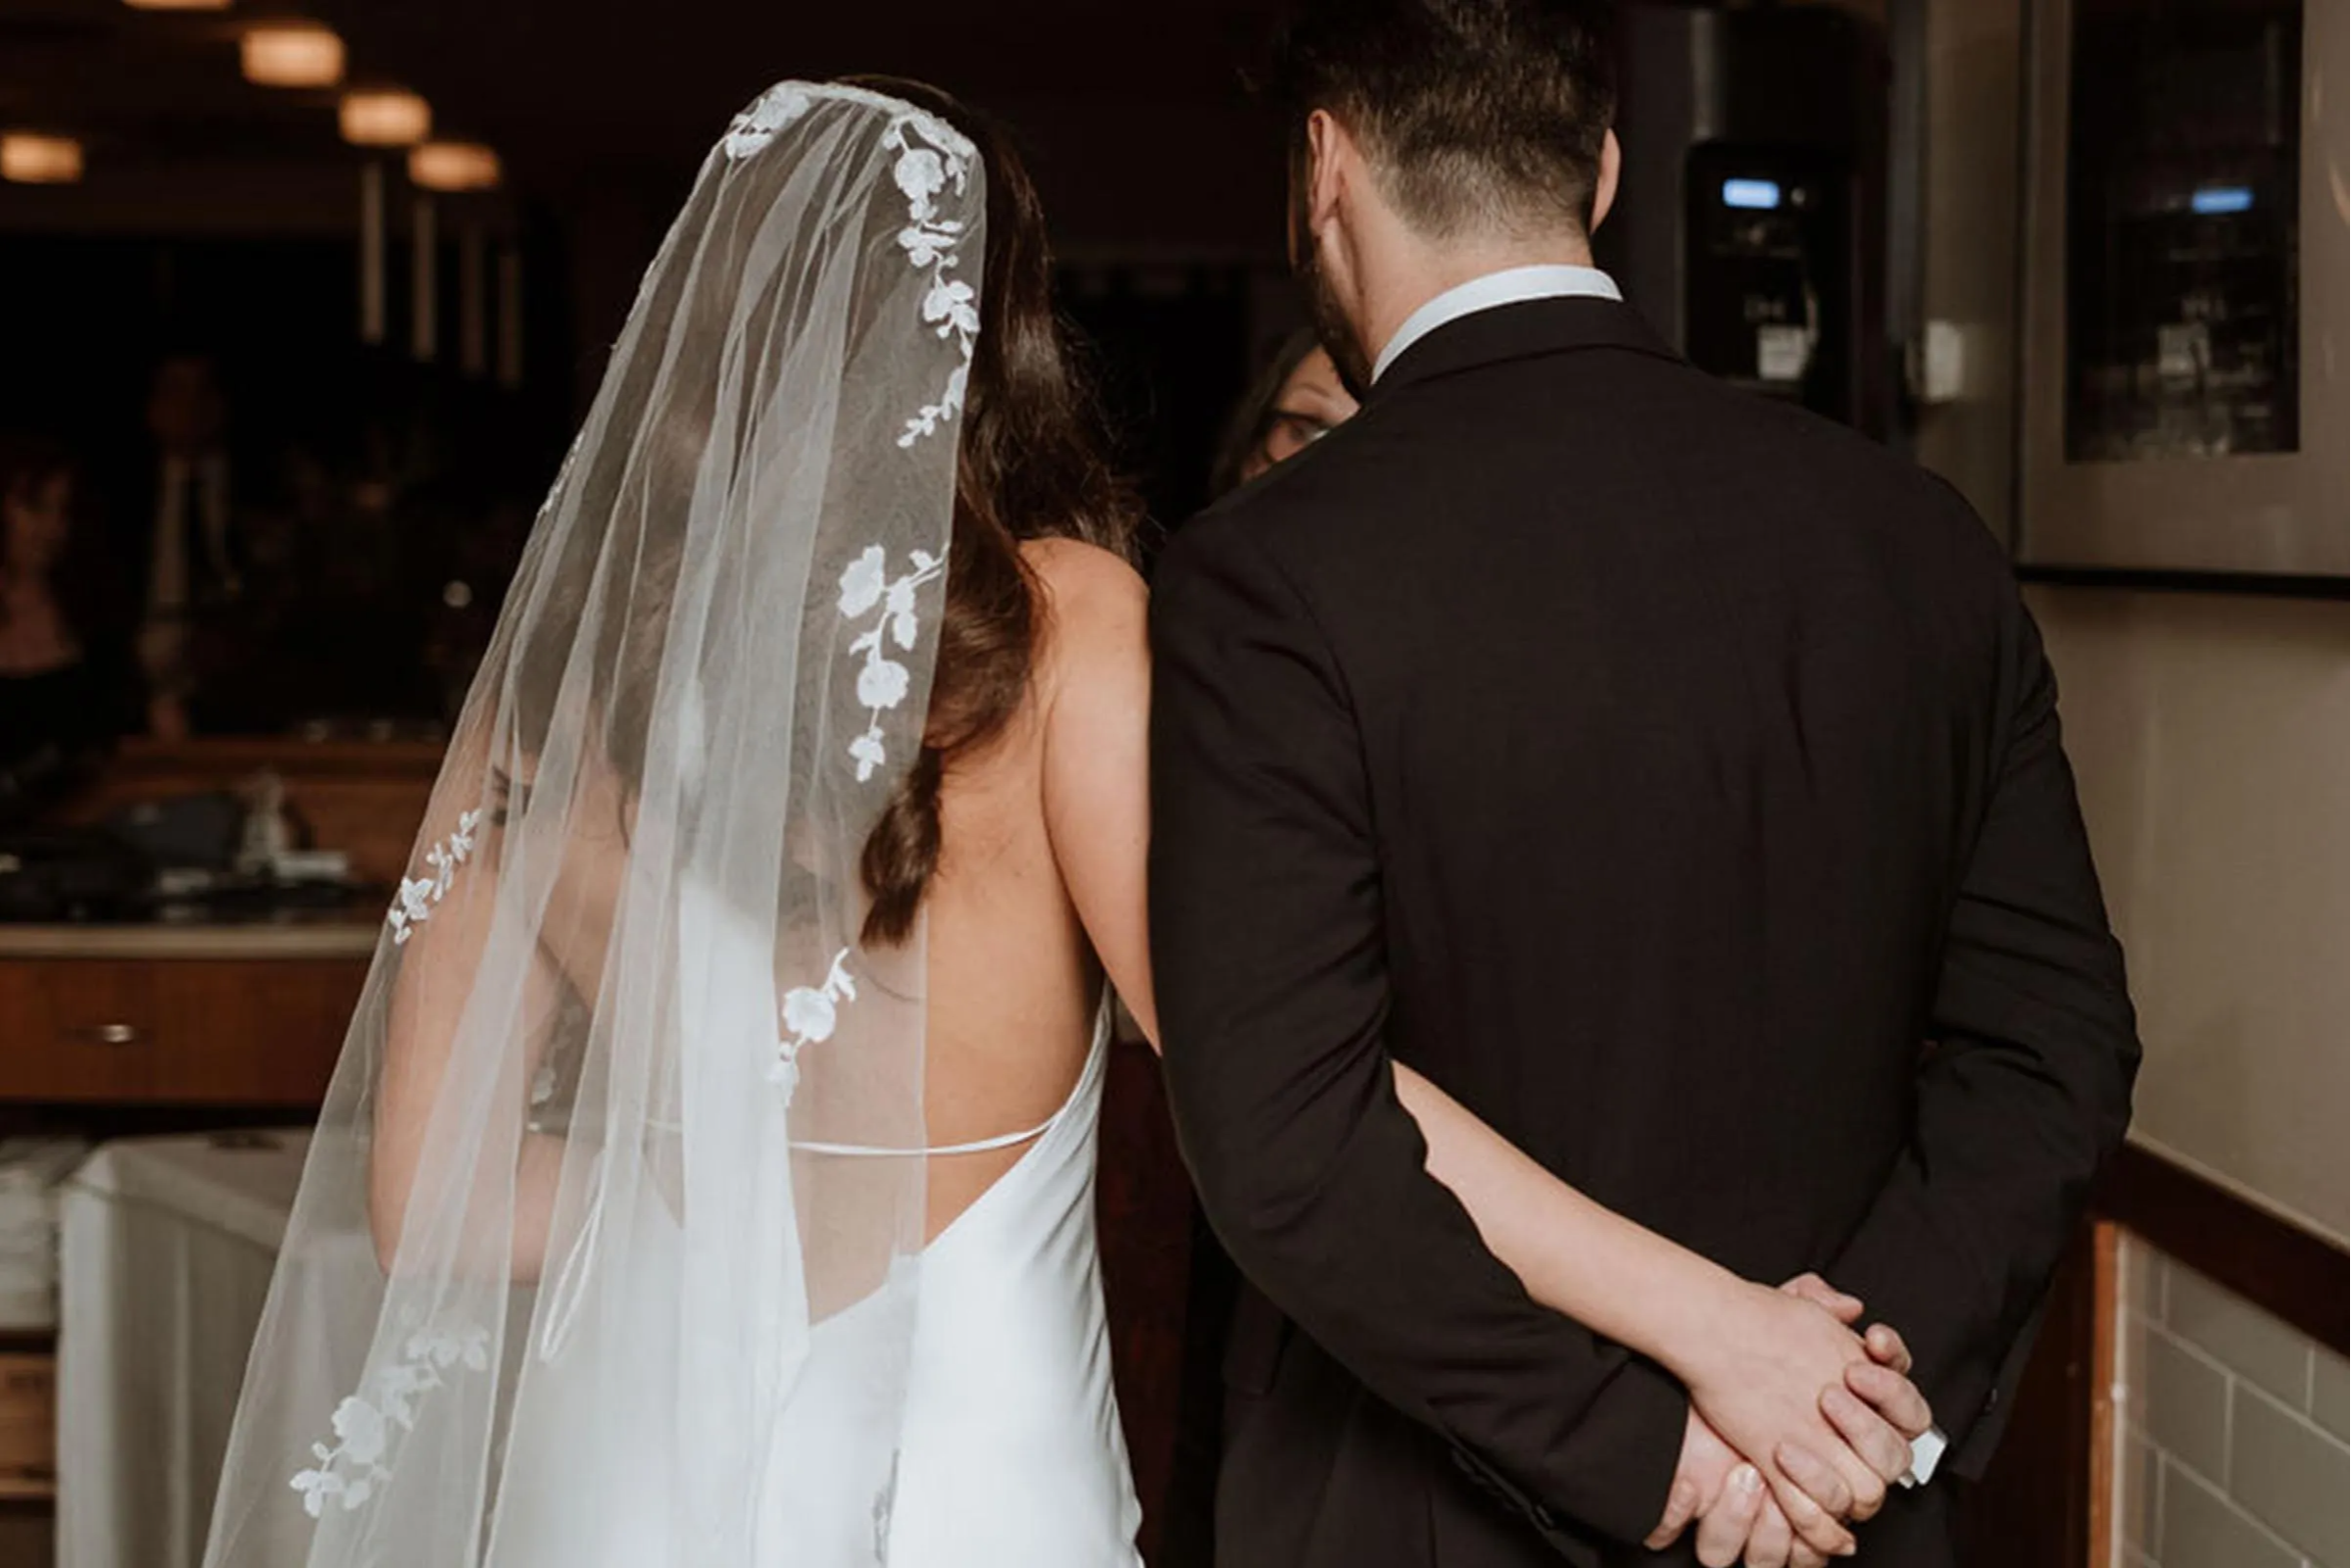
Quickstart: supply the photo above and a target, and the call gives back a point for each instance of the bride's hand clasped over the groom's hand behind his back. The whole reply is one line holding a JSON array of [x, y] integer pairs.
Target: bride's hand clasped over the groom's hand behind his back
[[1762, 1374]]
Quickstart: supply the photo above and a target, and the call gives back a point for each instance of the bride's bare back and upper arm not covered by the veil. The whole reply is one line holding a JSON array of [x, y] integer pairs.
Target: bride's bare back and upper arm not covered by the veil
[[1043, 857]]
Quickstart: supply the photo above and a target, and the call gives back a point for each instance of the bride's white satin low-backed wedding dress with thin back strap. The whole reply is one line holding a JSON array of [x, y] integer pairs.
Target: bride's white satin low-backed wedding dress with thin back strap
[[1010, 1449]]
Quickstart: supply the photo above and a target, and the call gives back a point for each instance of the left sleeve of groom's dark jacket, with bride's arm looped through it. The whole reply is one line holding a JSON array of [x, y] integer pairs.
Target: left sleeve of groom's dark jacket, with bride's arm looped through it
[[1273, 1000]]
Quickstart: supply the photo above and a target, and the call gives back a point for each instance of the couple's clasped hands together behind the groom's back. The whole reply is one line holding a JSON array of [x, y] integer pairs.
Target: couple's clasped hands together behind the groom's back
[[1800, 1423]]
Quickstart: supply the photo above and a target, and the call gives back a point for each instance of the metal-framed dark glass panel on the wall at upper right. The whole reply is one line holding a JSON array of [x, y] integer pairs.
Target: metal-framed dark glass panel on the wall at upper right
[[2185, 293]]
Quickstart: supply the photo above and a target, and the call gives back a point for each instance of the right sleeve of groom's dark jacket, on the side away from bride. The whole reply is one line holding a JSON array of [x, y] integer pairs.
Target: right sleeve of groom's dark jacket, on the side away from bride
[[2025, 1090]]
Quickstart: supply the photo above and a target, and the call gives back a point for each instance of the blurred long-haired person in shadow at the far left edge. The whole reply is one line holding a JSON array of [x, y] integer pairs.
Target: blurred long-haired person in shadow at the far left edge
[[62, 685]]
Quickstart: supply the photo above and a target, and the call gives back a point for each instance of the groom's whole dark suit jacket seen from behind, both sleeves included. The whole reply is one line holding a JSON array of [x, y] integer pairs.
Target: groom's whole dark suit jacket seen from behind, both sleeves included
[[1675, 779]]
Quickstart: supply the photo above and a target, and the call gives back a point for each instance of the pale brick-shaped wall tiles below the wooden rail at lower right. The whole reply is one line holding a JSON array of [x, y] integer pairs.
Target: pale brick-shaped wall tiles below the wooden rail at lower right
[[2232, 1430]]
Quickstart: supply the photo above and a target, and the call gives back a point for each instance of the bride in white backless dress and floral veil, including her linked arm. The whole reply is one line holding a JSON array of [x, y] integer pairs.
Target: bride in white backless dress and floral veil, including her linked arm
[[709, 1174]]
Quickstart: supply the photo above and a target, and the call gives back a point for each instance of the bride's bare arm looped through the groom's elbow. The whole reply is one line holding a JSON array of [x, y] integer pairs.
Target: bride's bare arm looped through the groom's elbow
[[1755, 1360]]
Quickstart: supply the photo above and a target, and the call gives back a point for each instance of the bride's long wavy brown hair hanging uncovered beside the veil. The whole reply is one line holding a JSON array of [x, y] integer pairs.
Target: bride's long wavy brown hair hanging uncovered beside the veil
[[1036, 464]]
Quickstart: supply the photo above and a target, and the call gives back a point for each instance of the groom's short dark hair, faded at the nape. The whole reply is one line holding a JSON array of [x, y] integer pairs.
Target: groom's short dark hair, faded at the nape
[[1478, 114]]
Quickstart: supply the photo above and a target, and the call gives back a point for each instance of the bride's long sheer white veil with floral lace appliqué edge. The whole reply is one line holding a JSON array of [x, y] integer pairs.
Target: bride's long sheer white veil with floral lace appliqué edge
[[580, 1273]]
